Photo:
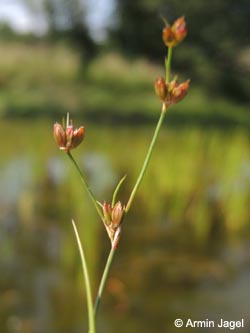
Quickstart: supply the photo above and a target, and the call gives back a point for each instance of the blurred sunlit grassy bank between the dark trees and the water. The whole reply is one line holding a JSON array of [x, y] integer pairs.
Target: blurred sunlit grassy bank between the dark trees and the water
[[41, 80]]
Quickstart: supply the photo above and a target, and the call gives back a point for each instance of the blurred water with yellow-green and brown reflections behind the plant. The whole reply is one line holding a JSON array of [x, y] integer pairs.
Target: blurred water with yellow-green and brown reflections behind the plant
[[185, 248]]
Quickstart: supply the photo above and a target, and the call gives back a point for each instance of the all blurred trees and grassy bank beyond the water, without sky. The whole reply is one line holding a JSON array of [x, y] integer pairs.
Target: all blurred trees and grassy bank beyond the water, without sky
[[66, 70]]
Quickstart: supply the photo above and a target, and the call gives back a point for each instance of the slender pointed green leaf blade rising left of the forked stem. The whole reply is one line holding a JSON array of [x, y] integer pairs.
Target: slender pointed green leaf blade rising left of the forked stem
[[87, 282]]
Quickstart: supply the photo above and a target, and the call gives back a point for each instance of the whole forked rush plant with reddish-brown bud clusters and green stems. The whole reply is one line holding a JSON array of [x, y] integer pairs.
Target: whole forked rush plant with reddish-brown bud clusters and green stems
[[113, 214]]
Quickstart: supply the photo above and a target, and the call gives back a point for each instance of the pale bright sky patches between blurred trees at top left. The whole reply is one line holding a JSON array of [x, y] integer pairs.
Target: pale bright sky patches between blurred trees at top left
[[21, 19]]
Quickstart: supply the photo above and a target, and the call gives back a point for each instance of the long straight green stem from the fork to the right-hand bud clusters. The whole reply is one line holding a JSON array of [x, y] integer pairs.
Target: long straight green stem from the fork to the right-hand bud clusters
[[147, 159]]
